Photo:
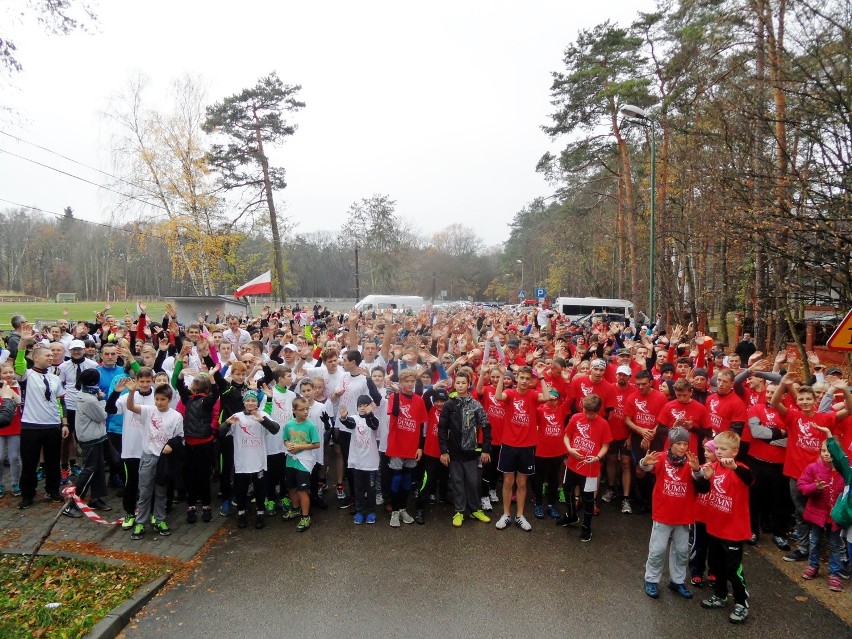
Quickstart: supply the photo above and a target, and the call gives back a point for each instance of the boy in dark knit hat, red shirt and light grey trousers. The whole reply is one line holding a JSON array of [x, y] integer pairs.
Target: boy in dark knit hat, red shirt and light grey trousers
[[678, 475]]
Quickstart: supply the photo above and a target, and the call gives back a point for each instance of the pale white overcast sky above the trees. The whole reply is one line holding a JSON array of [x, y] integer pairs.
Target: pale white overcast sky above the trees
[[438, 105]]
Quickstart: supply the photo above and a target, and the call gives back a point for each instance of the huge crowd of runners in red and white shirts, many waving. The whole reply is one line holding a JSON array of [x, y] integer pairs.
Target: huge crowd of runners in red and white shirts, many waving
[[518, 416]]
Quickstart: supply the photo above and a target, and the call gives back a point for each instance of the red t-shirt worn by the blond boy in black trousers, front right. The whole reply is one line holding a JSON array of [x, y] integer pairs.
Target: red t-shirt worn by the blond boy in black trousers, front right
[[726, 512]]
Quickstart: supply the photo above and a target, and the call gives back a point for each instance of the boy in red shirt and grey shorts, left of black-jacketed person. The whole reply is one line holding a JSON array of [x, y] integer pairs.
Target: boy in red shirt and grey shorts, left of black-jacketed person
[[405, 446]]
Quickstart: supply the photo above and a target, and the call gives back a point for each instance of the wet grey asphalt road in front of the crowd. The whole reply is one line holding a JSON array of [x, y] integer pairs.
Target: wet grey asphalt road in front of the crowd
[[343, 581]]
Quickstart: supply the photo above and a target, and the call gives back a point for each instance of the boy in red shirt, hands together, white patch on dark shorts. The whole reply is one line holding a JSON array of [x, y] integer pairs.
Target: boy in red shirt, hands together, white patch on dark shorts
[[587, 438]]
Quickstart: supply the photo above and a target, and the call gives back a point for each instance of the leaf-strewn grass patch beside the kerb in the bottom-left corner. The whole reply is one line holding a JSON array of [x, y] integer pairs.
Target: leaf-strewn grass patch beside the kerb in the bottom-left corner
[[85, 591]]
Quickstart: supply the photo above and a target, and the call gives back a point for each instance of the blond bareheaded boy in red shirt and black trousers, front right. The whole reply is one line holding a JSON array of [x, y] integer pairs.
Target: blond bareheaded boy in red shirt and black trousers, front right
[[728, 525]]
